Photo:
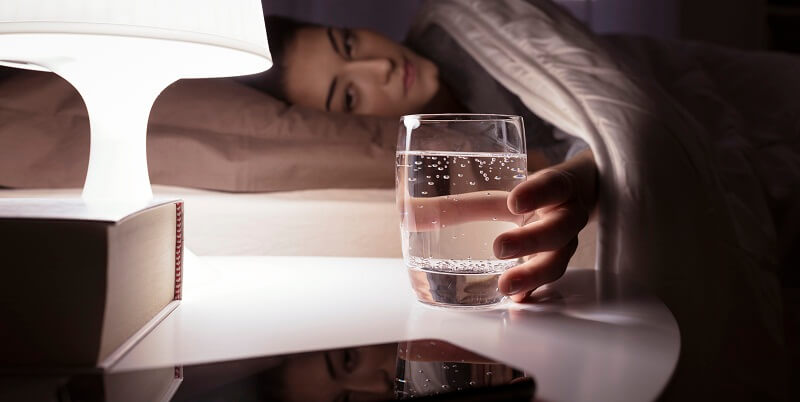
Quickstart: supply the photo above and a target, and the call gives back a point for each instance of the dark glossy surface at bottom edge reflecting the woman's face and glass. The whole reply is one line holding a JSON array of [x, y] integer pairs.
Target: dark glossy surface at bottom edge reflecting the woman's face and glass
[[427, 370]]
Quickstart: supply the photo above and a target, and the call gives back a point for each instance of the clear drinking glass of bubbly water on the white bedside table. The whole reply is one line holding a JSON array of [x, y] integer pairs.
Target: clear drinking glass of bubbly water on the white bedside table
[[453, 176]]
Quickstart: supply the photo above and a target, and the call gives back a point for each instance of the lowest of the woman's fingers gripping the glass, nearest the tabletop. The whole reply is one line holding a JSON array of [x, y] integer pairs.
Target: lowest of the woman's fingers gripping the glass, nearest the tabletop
[[541, 269]]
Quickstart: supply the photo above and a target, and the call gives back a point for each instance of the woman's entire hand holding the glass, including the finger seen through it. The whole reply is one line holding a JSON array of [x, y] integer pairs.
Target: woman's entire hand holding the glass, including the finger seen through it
[[551, 207]]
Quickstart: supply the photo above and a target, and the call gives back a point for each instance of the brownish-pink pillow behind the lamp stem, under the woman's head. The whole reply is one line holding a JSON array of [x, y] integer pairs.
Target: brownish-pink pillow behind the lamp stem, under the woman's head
[[215, 134]]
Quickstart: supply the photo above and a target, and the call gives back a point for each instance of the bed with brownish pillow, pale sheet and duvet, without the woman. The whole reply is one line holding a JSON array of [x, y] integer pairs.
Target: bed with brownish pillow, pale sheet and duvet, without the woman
[[693, 145]]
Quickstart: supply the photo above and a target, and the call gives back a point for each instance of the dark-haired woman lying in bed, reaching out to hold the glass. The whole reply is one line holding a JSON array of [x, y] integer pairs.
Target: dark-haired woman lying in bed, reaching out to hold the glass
[[362, 72]]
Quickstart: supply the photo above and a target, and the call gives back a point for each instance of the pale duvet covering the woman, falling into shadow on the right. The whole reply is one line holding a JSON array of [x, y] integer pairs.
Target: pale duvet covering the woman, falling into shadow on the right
[[692, 163]]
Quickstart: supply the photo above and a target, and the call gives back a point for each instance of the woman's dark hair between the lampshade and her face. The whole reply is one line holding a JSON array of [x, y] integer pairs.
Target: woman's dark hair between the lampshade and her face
[[281, 32]]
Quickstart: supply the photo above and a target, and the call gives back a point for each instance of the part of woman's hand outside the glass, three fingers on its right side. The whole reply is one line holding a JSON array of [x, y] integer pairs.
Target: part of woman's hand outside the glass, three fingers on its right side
[[562, 198]]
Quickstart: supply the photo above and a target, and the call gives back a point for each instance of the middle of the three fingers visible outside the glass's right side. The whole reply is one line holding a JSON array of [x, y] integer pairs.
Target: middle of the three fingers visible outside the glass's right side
[[554, 230]]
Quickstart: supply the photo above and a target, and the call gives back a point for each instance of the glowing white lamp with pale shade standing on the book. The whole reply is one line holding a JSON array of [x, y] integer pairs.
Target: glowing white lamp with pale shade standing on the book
[[120, 55]]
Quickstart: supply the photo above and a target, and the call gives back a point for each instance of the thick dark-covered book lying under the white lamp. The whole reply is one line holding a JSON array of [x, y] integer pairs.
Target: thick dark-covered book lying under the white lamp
[[81, 284]]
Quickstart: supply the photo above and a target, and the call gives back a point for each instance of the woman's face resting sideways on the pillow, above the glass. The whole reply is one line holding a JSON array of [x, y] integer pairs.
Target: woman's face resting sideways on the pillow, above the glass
[[357, 71]]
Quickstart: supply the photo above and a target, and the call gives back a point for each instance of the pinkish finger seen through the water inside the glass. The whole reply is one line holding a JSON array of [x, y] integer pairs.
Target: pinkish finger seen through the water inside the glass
[[430, 213]]
